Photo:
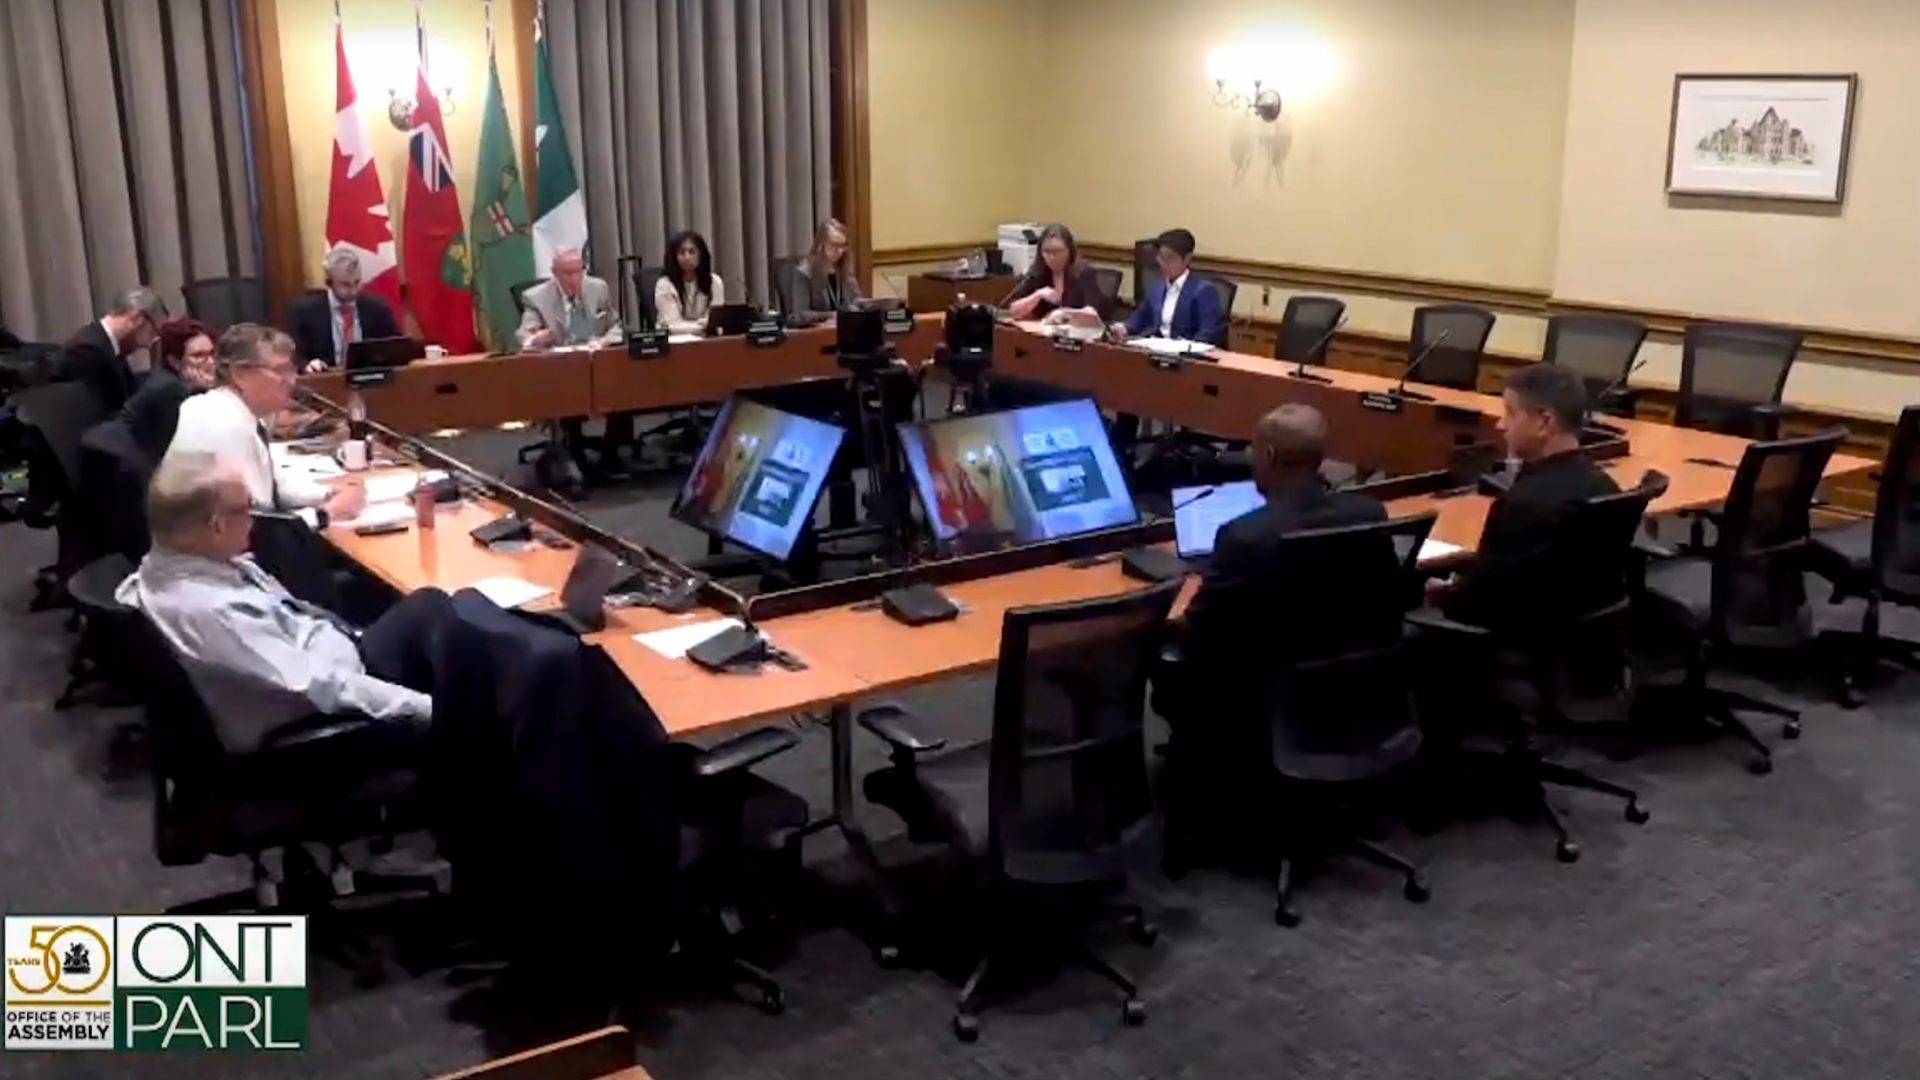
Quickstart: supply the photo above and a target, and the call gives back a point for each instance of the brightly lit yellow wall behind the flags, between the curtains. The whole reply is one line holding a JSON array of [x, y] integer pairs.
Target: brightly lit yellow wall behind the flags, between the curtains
[[381, 49]]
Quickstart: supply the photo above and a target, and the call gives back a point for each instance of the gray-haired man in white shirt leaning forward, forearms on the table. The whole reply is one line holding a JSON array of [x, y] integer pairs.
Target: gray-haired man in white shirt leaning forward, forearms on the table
[[229, 422]]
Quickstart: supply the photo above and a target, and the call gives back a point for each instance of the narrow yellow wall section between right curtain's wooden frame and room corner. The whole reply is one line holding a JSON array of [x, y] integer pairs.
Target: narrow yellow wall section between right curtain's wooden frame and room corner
[[946, 101]]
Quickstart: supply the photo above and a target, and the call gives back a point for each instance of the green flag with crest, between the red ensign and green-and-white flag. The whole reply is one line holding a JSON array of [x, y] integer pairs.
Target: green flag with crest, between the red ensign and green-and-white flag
[[502, 241]]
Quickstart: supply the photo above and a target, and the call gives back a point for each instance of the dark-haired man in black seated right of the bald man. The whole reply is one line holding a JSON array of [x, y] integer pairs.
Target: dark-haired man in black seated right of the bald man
[[1514, 574]]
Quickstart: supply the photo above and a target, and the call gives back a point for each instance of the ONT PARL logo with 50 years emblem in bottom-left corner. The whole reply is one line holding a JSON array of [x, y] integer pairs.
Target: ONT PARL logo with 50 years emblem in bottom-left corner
[[222, 985]]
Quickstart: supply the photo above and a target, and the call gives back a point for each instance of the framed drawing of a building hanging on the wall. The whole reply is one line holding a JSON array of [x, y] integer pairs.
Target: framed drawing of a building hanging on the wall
[[1779, 137]]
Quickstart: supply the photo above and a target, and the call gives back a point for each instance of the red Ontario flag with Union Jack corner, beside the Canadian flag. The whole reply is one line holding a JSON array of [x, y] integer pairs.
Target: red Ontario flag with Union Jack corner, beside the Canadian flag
[[435, 232]]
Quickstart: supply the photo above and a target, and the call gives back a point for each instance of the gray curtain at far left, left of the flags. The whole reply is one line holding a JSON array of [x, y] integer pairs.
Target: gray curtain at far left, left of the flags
[[128, 157]]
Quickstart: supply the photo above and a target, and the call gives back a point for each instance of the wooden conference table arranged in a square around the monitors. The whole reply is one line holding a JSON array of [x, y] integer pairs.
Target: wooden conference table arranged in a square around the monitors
[[855, 652]]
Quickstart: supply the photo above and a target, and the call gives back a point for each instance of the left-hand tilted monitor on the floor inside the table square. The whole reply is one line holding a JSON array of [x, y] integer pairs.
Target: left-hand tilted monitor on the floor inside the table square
[[759, 478]]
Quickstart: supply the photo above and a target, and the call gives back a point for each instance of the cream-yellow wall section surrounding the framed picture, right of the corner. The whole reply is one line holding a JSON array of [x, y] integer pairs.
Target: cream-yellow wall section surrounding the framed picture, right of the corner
[[1623, 239]]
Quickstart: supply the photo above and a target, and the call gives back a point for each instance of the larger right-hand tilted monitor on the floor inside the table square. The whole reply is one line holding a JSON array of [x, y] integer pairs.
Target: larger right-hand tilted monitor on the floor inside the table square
[[1019, 476]]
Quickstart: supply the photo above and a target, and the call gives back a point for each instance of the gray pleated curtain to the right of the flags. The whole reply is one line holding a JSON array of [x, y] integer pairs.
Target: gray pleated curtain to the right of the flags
[[698, 114]]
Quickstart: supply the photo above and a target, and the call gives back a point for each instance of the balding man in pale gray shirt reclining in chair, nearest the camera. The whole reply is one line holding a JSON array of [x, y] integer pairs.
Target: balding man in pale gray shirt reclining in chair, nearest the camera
[[258, 656]]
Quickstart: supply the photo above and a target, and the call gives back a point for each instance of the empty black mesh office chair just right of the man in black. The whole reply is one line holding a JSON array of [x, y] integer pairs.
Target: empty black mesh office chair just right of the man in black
[[1750, 591]]
